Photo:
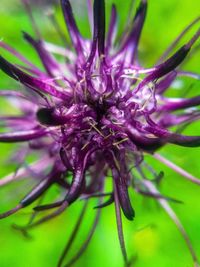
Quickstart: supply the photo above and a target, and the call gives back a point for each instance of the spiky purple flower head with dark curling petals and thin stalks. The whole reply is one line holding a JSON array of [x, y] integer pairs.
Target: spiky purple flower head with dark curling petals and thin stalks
[[95, 116]]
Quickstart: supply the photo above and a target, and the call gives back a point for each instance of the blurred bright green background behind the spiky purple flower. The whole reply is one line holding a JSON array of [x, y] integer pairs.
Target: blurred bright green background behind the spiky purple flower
[[152, 236]]
